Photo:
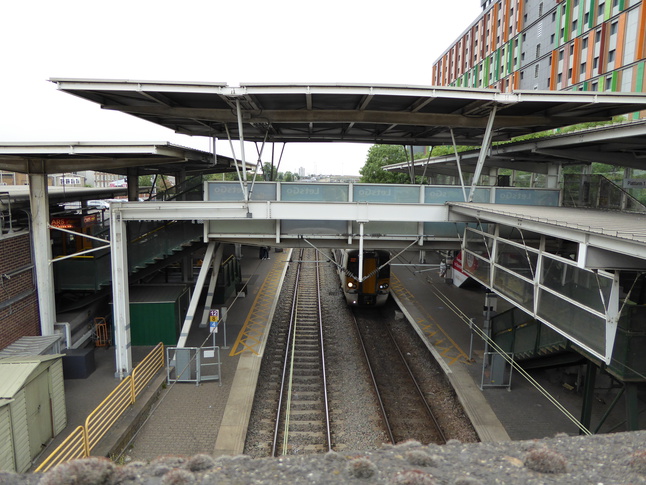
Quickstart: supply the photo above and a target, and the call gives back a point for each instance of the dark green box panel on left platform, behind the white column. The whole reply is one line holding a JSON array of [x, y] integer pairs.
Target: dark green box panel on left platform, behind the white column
[[152, 323]]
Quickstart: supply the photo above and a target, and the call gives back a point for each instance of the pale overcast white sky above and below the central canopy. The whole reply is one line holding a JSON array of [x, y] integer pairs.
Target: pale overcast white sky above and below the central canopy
[[350, 41]]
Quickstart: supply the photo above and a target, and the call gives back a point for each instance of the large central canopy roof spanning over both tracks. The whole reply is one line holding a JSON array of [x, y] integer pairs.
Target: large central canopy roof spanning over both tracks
[[389, 114]]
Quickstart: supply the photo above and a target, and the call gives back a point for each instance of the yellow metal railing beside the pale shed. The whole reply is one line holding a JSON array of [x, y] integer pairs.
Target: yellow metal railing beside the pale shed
[[83, 439]]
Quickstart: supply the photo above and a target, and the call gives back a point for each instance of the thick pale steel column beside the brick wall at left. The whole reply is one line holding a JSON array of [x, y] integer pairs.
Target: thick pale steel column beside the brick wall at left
[[42, 251]]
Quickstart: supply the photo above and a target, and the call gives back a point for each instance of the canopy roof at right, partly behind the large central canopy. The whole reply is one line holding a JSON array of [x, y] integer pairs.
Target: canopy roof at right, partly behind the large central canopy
[[618, 144]]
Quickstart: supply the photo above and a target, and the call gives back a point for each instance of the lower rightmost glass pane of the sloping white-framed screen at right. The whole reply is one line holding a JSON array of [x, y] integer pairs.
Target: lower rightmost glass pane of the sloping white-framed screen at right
[[574, 321]]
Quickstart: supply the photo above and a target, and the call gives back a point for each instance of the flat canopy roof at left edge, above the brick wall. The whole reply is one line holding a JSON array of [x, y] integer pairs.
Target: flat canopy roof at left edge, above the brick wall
[[111, 157]]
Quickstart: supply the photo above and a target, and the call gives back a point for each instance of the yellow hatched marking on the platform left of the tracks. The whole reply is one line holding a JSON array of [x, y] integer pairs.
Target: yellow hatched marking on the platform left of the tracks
[[251, 335]]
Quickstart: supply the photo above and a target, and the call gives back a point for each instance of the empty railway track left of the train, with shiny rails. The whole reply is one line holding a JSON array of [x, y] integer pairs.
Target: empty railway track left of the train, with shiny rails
[[302, 423]]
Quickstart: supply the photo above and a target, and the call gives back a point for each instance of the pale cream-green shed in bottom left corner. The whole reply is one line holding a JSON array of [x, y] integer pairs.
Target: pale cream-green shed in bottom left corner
[[32, 408]]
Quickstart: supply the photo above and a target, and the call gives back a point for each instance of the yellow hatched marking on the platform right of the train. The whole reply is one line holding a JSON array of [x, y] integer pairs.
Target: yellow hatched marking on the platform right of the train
[[436, 335]]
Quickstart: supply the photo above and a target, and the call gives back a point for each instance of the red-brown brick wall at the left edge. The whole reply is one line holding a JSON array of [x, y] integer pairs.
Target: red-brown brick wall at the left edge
[[18, 297]]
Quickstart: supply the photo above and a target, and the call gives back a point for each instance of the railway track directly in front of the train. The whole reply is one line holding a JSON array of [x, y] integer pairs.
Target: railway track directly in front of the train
[[406, 411]]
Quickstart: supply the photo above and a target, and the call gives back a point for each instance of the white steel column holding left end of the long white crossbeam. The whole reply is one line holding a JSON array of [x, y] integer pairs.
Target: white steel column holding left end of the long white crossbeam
[[120, 294]]
